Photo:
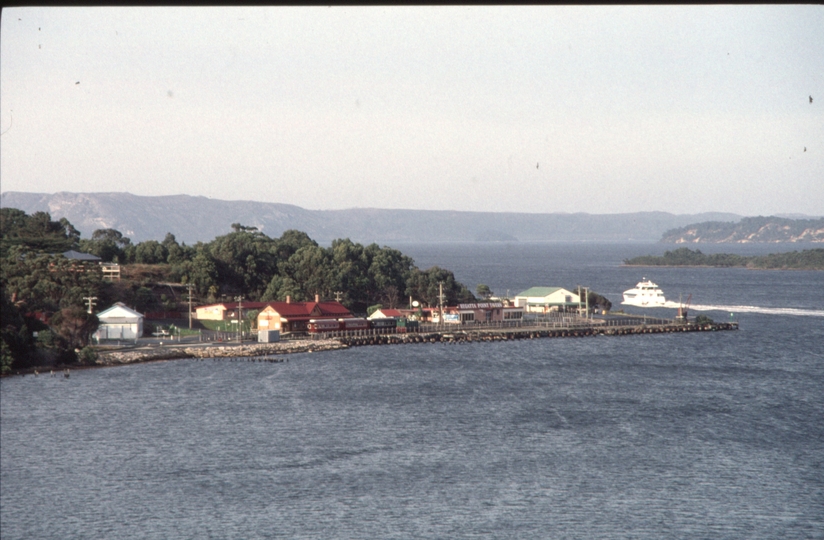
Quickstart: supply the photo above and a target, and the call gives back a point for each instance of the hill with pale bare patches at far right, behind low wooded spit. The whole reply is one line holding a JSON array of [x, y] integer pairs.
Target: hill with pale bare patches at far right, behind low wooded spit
[[749, 230]]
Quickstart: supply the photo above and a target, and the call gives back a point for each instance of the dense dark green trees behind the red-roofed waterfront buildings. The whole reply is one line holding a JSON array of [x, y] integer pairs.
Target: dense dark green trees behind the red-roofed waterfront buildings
[[244, 262]]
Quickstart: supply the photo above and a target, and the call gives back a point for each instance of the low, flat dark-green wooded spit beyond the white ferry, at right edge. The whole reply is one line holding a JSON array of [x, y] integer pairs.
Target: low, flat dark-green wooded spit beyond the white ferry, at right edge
[[808, 259]]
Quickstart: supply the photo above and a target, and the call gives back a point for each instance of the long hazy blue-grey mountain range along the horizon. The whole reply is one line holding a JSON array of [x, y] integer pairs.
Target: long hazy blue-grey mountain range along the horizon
[[193, 219]]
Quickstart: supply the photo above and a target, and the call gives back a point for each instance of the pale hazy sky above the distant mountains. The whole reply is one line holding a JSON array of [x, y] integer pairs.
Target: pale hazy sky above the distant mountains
[[527, 109]]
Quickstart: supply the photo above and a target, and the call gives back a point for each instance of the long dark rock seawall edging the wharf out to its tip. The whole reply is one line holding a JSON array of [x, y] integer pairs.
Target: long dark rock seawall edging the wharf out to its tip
[[529, 333]]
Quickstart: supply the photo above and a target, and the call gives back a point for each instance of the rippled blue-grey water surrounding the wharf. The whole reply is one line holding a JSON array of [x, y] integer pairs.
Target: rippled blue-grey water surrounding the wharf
[[716, 435]]
